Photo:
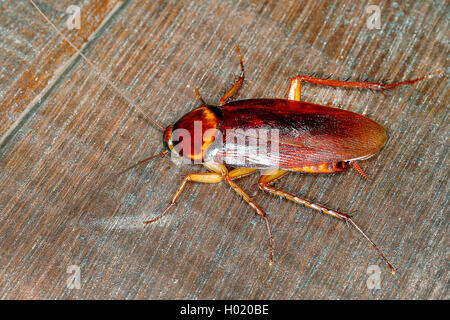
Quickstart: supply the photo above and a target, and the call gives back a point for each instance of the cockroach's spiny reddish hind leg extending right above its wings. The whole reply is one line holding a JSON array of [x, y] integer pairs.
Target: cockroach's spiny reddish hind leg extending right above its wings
[[294, 92]]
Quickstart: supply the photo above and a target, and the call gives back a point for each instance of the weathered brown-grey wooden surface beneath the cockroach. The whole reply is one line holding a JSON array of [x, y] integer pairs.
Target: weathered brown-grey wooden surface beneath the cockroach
[[65, 134]]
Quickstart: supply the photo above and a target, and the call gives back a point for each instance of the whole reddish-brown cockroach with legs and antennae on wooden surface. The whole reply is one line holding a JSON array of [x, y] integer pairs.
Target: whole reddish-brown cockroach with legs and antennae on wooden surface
[[275, 136]]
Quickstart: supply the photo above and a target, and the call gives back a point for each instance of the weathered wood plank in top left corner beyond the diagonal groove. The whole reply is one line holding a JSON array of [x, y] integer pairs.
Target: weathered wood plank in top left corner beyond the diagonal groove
[[34, 60]]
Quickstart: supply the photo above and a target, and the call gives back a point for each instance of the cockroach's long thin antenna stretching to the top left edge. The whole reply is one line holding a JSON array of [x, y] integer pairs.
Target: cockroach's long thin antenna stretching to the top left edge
[[105, 79]]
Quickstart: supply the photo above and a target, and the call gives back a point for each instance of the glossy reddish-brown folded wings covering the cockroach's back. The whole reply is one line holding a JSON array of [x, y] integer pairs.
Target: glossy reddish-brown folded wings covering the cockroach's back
[[305, 134]]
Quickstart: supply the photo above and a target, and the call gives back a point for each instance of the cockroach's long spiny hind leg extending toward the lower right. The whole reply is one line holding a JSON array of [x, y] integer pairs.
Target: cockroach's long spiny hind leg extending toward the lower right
[[269, 176]]
